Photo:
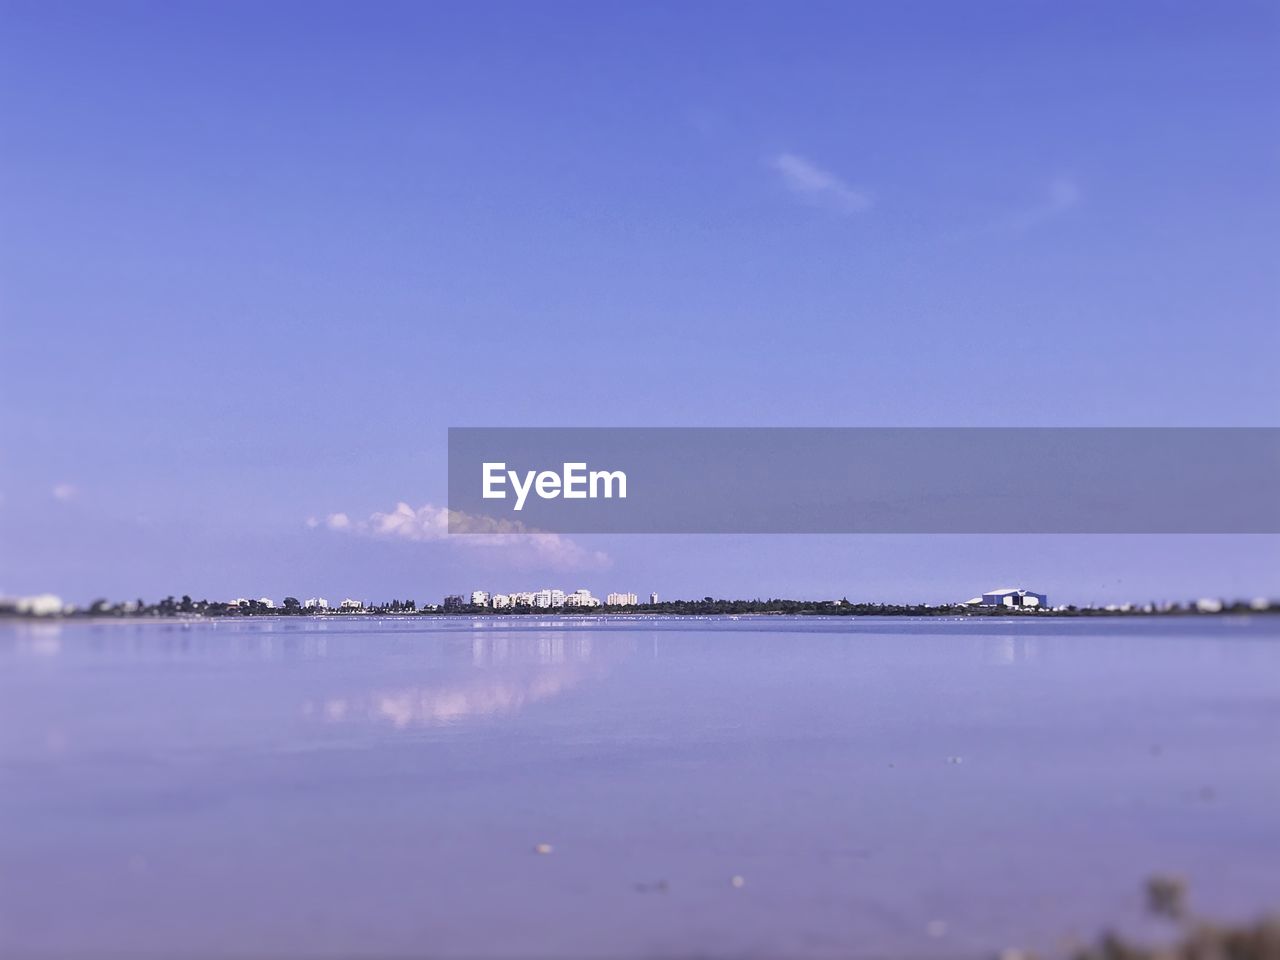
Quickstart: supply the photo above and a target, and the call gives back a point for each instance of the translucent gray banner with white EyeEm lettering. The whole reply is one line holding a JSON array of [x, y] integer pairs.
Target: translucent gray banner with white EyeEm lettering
[[865, 481]]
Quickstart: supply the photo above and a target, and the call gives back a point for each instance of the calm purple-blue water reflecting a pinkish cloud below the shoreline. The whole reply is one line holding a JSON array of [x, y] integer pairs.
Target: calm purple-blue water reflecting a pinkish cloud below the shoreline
[[380, 787]]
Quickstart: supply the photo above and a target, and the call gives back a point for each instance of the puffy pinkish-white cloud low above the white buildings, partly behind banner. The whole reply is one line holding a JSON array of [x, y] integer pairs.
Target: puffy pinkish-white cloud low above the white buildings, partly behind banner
[[505, 541]]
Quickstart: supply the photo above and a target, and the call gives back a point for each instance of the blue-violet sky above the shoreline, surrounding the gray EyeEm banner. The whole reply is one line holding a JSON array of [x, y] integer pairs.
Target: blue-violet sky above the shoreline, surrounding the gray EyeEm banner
[[255, 259]]
